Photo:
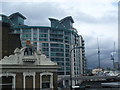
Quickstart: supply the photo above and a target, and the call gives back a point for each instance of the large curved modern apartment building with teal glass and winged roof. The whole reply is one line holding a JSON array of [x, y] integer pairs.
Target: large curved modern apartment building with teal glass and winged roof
[[54, 41]]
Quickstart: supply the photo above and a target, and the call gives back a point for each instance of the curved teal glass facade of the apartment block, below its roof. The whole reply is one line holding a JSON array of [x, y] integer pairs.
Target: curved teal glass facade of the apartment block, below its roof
[[56, 44]]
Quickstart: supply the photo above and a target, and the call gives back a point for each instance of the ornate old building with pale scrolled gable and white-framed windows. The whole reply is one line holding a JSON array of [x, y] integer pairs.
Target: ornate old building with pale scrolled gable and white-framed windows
[[28, 69]]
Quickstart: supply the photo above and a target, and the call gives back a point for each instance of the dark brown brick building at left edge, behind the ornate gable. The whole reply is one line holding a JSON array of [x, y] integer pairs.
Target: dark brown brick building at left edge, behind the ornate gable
[[8, 40]]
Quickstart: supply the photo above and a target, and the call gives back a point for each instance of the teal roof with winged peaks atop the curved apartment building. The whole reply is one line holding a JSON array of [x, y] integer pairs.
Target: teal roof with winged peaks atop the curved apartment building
[[63, 24]]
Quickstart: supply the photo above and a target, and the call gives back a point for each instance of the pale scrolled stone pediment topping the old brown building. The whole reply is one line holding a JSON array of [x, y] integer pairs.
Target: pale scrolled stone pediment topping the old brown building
[[22, 58]]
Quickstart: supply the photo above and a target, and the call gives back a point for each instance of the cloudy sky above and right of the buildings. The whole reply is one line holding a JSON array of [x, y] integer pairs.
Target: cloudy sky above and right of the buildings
[[94, 20]]
